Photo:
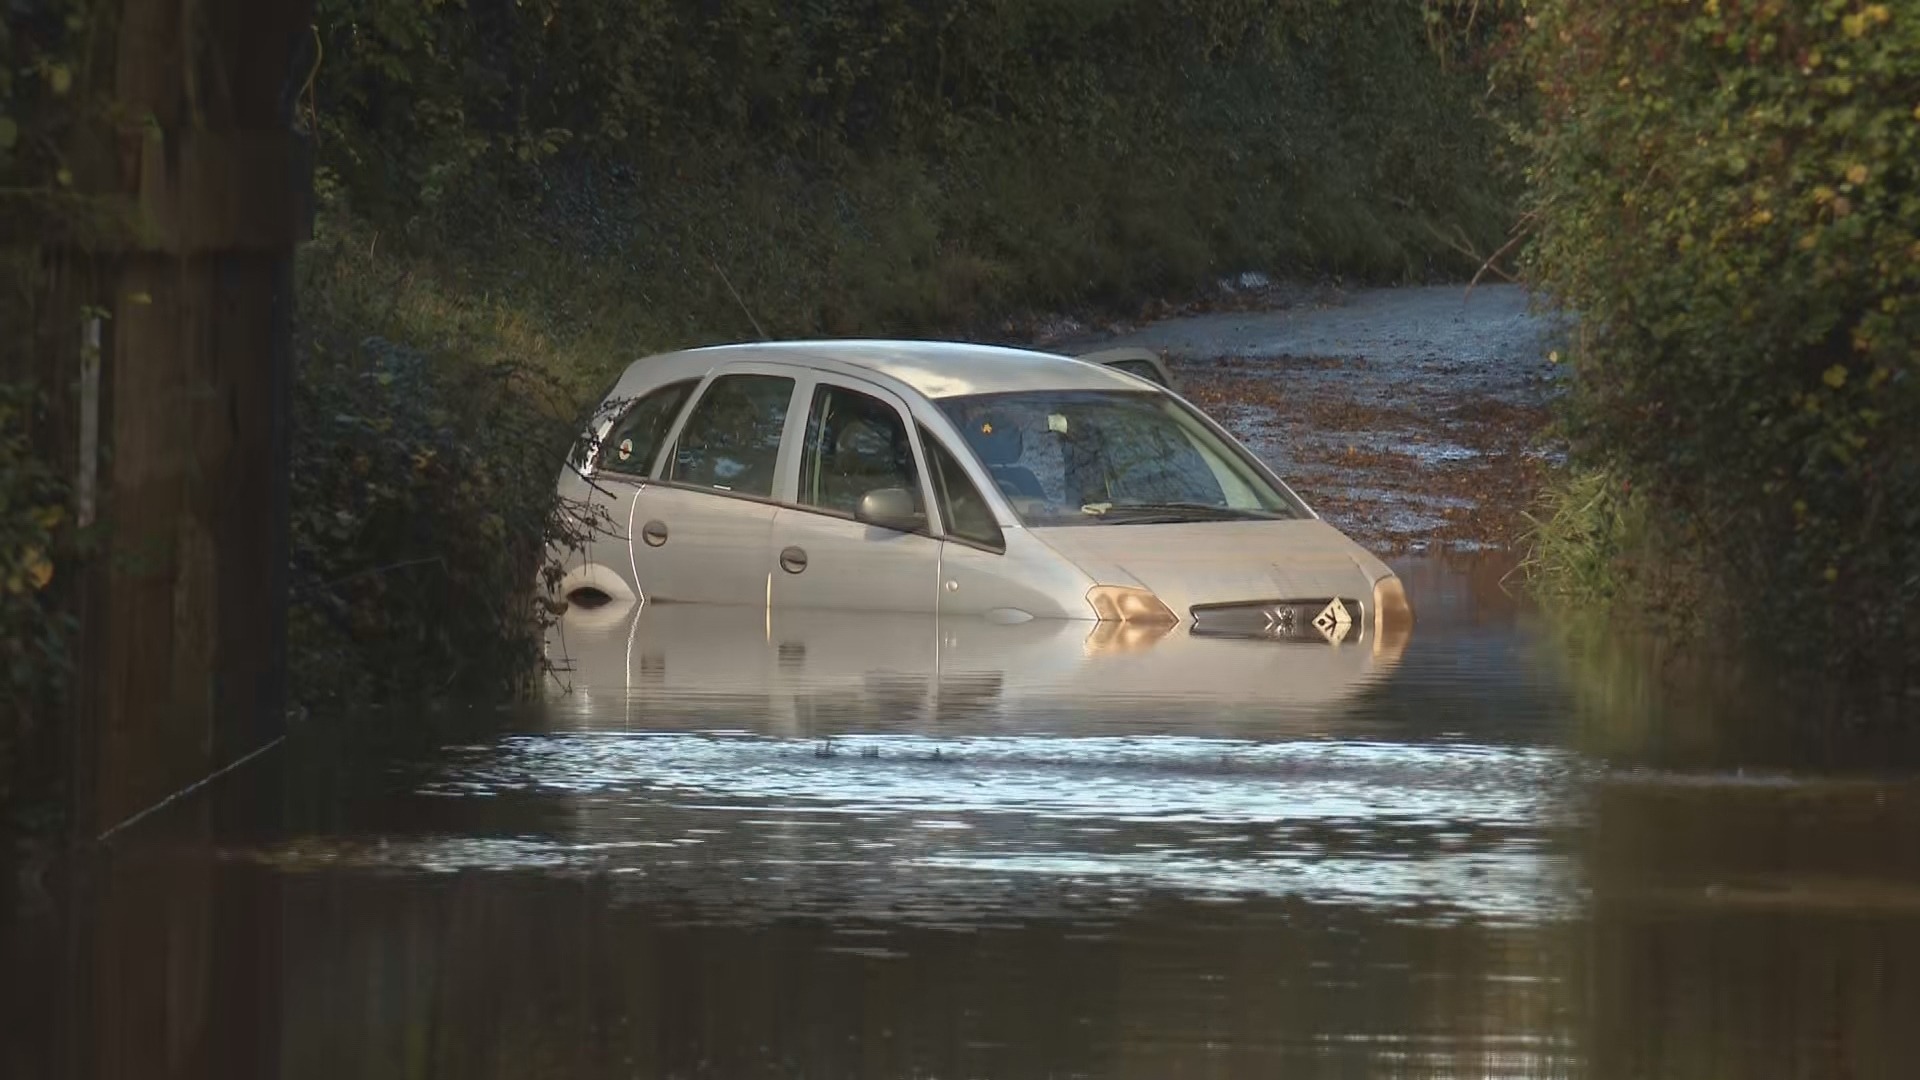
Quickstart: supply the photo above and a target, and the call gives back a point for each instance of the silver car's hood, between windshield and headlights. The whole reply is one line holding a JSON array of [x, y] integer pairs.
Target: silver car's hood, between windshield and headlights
[[1222, 562]]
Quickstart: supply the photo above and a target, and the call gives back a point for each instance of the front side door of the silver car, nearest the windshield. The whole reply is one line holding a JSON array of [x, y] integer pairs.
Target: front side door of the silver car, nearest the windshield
[[855, 439]]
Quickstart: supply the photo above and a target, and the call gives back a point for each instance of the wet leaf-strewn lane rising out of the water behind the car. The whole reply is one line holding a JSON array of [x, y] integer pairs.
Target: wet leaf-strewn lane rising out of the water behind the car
[[1410, 418]]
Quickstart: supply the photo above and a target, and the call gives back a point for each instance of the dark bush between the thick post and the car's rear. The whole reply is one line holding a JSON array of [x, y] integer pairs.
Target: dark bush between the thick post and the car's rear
[[421, 491]]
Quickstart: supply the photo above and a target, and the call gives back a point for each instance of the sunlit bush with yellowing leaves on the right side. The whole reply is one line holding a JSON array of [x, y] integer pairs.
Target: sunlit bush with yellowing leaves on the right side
[[1729, 195]]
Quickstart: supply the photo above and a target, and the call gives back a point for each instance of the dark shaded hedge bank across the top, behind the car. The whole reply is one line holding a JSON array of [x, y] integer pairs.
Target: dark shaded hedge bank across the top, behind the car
[[915, 160]]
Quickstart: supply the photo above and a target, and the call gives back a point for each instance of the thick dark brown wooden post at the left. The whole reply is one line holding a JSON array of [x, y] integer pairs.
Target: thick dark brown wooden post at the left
[[183, 618]]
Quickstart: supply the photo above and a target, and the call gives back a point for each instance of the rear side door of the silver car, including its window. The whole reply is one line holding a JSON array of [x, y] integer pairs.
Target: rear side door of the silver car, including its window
[[702, 529]]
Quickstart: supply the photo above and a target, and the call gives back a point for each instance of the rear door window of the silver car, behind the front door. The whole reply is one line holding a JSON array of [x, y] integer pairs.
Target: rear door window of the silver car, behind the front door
[[732, 437]]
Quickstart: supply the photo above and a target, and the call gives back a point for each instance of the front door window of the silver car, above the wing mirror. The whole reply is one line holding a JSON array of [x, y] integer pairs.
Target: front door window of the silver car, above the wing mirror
[[855, 445]]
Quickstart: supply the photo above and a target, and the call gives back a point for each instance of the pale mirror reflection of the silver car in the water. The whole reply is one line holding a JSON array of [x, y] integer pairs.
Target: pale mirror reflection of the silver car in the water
[[817, 672]]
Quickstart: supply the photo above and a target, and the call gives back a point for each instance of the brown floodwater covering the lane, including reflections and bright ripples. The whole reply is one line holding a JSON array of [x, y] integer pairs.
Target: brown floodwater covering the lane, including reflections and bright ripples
[[748, 845]]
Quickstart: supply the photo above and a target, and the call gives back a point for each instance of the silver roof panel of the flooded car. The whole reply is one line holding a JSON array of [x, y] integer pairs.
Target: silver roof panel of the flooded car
[[936, 370]]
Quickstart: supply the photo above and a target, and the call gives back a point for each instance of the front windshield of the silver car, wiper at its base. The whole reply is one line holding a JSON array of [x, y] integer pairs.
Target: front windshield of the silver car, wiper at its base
[[1111, 458]]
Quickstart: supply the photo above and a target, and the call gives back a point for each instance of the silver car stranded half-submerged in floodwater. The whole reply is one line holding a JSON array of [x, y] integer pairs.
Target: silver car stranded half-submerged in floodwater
[[951, 479]]
